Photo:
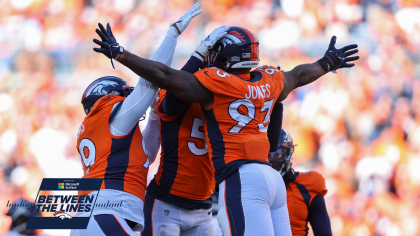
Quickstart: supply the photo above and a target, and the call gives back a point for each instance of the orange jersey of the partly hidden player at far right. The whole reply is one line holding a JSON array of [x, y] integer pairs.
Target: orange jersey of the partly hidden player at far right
[[299, 197]]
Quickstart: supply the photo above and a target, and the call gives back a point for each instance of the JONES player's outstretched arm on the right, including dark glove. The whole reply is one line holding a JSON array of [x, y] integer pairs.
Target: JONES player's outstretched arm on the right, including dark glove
[[307, 73]]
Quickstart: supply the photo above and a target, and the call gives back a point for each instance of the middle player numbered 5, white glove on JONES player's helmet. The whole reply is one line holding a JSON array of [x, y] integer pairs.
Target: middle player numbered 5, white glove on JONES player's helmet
[[178, 199]]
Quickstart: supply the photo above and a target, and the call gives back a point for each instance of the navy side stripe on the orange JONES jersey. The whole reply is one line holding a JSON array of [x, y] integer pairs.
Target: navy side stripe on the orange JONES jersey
[[216, 141]]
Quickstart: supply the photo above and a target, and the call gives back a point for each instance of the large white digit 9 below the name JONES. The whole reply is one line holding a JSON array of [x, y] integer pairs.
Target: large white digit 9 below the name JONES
[[242, 119]]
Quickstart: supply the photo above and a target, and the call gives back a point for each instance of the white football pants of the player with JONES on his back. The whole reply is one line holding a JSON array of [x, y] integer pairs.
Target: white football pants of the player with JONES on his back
[[253, 201]]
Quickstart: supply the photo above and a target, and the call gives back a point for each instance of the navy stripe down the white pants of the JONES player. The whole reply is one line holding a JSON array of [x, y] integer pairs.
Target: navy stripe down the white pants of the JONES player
[[234, 207]]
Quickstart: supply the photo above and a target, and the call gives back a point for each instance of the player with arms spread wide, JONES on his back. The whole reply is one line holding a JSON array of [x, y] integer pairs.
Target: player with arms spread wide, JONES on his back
[[237, 104]]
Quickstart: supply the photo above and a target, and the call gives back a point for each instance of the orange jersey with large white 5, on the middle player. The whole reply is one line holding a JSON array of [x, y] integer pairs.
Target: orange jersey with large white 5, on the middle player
[[185, 168]]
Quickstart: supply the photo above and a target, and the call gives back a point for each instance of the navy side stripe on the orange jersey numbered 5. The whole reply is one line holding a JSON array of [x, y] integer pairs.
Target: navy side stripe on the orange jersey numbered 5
[[169, 131]]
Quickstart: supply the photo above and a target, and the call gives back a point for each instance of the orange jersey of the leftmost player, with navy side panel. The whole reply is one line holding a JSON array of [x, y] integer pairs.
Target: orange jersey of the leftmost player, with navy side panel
[[119, 160]]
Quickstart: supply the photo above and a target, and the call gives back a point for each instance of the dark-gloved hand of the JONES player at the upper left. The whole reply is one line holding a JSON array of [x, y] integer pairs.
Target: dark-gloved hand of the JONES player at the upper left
[[109, 46]]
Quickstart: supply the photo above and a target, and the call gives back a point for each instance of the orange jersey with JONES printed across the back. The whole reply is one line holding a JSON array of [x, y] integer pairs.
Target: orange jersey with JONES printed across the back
[[236, 123]]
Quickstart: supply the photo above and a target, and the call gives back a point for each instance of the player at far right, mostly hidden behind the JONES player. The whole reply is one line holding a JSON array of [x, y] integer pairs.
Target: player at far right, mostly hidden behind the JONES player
[[305, 191]]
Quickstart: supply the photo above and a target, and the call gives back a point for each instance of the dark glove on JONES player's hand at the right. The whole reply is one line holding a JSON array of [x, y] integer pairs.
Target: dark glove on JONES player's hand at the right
[[338, 58]]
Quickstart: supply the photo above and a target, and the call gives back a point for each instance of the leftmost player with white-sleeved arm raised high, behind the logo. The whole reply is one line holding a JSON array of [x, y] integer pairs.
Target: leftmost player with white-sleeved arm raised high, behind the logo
[[113, 148]]
